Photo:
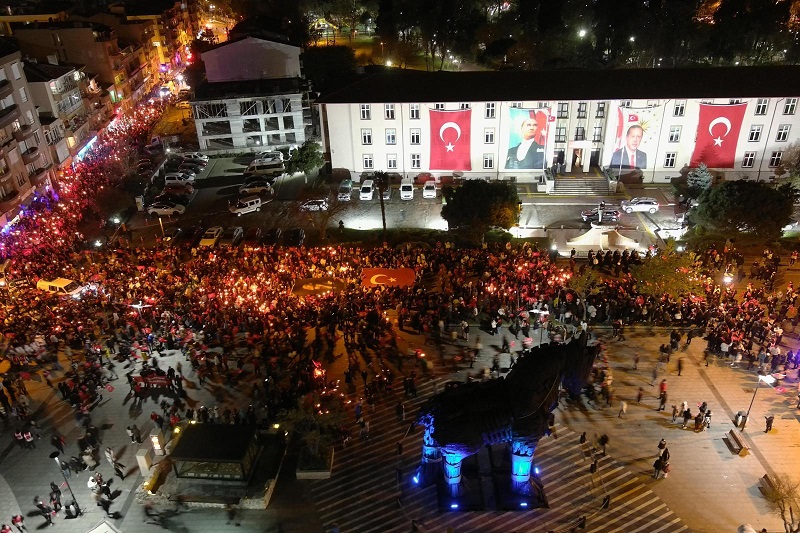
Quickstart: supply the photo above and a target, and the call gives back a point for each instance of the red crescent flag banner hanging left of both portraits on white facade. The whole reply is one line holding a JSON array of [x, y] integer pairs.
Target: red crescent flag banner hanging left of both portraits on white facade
[[450, 140]]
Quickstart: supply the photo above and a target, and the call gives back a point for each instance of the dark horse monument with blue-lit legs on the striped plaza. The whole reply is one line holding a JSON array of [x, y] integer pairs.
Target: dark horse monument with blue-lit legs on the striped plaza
[[515, 410]]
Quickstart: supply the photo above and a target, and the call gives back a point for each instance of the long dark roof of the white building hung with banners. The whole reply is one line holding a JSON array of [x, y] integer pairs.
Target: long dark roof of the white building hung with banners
[[398, 85]]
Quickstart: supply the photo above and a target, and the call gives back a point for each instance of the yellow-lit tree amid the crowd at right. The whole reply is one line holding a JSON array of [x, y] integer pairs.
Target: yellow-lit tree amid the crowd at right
[[670, 272]]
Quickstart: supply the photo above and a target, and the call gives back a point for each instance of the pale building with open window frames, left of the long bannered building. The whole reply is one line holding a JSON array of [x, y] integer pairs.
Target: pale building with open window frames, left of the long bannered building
[[253, 99]]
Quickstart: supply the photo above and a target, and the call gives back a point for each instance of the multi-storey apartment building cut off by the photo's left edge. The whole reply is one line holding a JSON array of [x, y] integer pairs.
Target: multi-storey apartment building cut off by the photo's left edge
[[25, 165]]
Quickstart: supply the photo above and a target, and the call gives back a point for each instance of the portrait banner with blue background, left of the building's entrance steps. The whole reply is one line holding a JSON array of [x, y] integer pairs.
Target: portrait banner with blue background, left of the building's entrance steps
[[527, 138]]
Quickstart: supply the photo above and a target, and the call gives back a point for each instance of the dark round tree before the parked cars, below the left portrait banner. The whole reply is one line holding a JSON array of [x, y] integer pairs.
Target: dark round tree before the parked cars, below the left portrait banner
[[479, 205]]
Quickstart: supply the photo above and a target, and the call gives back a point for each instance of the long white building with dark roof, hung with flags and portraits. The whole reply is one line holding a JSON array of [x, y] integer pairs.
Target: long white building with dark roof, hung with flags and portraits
[[736, 120]]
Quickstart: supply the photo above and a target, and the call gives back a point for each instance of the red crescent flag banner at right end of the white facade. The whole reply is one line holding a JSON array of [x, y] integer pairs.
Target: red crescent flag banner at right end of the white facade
[[718, 135]]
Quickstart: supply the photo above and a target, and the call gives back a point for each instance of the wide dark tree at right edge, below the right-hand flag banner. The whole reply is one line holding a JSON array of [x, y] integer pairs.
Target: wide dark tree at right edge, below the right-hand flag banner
[[745, 207]]
